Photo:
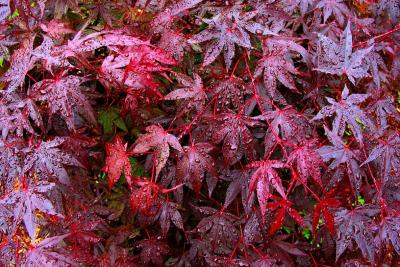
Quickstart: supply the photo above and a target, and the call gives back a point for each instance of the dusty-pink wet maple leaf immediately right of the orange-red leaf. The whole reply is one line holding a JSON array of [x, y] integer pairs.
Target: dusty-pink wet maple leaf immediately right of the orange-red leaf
[[158, 140]]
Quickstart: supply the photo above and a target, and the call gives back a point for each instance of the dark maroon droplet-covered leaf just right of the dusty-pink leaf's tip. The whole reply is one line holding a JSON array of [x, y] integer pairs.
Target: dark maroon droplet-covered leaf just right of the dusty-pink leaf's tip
[[193, 163]]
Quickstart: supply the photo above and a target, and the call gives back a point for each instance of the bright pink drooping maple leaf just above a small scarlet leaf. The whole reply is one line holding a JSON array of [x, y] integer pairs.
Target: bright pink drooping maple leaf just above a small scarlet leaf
[[264, 177]]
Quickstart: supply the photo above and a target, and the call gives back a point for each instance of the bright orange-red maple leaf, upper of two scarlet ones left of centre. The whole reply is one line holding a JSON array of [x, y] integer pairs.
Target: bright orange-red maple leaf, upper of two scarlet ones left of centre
[[117, 162]]
